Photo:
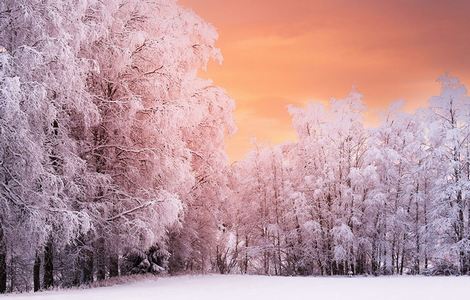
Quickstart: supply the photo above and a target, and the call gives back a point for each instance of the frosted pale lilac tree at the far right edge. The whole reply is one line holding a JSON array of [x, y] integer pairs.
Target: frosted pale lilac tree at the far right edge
[[448, 142]]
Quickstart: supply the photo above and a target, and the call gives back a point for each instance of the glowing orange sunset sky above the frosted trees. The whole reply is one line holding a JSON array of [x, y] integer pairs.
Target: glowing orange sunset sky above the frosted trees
[[288, 52]]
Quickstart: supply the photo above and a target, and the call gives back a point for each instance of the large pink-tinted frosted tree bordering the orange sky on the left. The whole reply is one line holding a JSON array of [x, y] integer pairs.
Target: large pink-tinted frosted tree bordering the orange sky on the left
[[157, 120]]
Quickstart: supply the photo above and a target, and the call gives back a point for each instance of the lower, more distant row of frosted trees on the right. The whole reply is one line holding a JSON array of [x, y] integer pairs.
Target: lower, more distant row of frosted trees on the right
[[346, 199]]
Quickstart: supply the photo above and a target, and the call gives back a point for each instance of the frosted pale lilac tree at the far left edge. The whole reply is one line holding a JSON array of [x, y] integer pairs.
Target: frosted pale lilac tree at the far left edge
[[45, 106]]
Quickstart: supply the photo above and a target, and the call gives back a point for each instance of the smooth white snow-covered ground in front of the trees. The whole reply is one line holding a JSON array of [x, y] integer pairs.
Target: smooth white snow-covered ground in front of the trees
[[261, 287]]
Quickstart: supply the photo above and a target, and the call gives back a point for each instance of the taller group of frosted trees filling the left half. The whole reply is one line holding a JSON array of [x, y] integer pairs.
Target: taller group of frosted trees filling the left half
[[111, 147]]
